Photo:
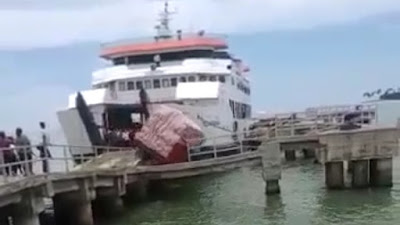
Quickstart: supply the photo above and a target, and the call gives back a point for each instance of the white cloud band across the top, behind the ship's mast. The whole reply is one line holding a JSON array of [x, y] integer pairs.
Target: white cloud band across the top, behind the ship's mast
[[53, 23]]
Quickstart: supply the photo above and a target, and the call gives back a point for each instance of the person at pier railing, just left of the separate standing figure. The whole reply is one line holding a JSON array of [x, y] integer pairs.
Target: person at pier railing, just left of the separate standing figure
[[24, 151]]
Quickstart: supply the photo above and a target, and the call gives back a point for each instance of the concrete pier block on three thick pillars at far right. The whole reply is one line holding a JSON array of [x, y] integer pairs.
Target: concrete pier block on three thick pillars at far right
[[368, 151]]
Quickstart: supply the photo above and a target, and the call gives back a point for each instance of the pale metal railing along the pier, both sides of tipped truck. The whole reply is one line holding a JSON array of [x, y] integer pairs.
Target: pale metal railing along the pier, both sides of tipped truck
[[24, 161]]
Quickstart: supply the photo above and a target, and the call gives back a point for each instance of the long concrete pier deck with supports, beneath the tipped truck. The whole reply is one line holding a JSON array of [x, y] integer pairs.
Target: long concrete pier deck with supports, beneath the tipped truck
[[76, 192]]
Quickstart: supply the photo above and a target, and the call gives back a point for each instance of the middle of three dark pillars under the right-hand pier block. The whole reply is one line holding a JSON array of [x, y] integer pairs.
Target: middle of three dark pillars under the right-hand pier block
[[360, 172]]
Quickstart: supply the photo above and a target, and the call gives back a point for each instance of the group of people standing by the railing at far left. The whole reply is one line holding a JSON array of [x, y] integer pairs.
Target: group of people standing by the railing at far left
[[19, 149]]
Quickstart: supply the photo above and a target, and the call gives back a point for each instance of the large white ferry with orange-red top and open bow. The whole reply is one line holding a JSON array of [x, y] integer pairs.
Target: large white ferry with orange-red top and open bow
[[192, 72]]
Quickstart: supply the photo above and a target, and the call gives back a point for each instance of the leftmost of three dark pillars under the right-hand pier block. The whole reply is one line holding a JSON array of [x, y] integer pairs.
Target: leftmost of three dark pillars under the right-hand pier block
[[334, 175]]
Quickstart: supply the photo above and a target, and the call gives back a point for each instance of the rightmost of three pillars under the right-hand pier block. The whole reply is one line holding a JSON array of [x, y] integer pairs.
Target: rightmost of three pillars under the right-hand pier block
[[381, 172]]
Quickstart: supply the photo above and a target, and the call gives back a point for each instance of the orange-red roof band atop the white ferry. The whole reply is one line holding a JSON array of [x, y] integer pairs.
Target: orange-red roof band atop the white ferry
[[162, 45]]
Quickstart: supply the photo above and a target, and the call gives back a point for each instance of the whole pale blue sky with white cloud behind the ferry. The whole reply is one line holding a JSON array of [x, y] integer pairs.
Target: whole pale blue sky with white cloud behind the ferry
[[301, 52]]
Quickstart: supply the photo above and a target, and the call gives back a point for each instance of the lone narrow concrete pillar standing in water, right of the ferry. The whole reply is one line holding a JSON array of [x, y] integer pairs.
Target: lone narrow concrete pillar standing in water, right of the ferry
[[271, 162]]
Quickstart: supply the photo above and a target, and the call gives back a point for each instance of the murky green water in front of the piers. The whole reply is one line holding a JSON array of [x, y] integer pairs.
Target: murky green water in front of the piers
[[238, 197]]
